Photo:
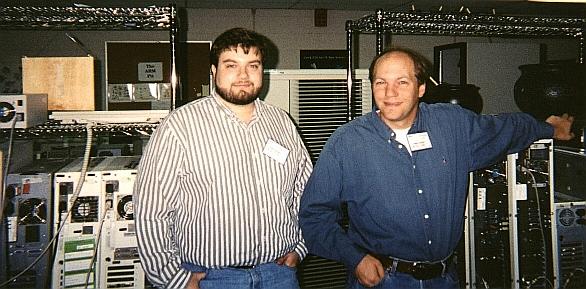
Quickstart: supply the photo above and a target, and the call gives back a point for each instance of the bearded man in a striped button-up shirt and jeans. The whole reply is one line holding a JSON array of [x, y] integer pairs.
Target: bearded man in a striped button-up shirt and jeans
[[218, 187]]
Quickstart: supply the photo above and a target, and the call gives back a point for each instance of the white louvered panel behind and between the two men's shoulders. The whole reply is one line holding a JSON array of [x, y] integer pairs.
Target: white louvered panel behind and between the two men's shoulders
[[320, 106]]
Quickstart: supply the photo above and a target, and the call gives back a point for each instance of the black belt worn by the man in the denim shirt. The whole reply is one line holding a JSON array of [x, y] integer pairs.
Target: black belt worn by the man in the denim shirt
[[419, 270]]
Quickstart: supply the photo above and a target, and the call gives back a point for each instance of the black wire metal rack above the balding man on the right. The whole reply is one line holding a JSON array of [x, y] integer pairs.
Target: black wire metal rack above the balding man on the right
[[459, 24]]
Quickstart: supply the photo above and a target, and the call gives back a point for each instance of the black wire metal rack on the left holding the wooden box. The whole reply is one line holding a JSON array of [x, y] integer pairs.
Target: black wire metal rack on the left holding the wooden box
[[94, 18]]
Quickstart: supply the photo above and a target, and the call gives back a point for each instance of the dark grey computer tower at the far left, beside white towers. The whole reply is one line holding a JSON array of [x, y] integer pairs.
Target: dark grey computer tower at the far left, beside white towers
[[28, 224]]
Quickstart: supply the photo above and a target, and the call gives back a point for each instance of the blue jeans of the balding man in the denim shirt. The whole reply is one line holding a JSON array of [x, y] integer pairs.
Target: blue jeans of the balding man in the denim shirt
[[398, 280]]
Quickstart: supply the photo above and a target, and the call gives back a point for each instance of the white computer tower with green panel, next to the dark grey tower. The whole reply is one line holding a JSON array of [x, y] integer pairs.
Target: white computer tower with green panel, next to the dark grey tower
[[77, 220]]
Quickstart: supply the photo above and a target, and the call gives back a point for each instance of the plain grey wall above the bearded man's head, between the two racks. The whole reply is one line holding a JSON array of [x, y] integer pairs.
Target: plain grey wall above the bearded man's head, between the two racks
[[290, 30]]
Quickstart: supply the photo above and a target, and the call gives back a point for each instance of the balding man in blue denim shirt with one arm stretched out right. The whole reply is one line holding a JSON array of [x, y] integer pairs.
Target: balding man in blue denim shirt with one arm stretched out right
[[402, 171]]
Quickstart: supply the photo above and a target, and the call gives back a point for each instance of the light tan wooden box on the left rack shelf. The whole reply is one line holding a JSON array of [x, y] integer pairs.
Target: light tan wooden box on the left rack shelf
[[68, 81]]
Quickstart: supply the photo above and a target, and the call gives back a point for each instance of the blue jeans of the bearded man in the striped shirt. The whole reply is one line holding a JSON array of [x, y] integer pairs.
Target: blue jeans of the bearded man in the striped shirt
[[265, 276]]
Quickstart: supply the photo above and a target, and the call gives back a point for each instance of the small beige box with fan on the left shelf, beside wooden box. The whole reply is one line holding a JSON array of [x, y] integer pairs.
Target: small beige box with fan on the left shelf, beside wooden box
[[26, 109]]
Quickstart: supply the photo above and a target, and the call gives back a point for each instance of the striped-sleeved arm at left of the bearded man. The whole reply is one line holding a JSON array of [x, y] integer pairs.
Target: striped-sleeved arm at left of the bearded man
[[154, 195]]
